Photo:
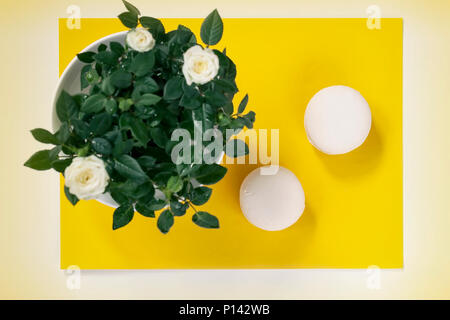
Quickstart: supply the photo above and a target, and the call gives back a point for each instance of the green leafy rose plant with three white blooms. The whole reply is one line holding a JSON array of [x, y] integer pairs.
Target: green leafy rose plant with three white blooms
[[115, 135]]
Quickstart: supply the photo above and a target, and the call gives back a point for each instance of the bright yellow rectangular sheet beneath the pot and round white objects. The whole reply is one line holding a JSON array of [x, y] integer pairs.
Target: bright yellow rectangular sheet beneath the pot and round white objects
[[353, 216]]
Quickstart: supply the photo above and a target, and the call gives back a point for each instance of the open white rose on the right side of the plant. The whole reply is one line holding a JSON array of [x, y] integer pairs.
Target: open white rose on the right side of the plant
[[200, 65]]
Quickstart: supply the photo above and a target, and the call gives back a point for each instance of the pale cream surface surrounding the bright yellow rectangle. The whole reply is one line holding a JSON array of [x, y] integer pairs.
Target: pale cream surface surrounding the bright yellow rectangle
[[29, 208]]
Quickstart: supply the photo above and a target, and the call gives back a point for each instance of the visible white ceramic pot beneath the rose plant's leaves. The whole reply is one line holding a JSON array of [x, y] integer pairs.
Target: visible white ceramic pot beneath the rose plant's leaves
[[70, 82]]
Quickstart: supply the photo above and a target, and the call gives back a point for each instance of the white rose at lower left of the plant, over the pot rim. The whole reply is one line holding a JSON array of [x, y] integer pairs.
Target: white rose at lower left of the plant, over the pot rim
[[86, 177]]
